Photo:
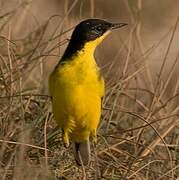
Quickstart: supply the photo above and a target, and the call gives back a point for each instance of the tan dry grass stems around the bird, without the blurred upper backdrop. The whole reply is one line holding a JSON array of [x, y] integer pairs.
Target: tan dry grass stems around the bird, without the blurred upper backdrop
[[138, 136]]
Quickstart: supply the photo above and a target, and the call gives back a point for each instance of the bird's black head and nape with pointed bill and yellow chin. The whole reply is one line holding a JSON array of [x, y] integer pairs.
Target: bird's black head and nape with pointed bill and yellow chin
[[89, 33]]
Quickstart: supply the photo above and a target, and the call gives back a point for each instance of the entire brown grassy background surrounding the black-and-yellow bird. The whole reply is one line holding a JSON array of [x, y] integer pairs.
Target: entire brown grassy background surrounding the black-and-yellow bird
[[141, 108]]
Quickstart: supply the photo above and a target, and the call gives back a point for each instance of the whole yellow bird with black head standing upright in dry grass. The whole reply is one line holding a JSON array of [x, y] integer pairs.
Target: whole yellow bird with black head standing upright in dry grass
[[77, 87]]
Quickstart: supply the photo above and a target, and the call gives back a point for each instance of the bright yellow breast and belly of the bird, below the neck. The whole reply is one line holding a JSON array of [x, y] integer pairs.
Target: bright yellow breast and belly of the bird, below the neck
[[76, 92]]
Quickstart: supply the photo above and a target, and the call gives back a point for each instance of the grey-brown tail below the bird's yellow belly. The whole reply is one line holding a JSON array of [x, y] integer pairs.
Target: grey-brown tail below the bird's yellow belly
[[82, 152]]
